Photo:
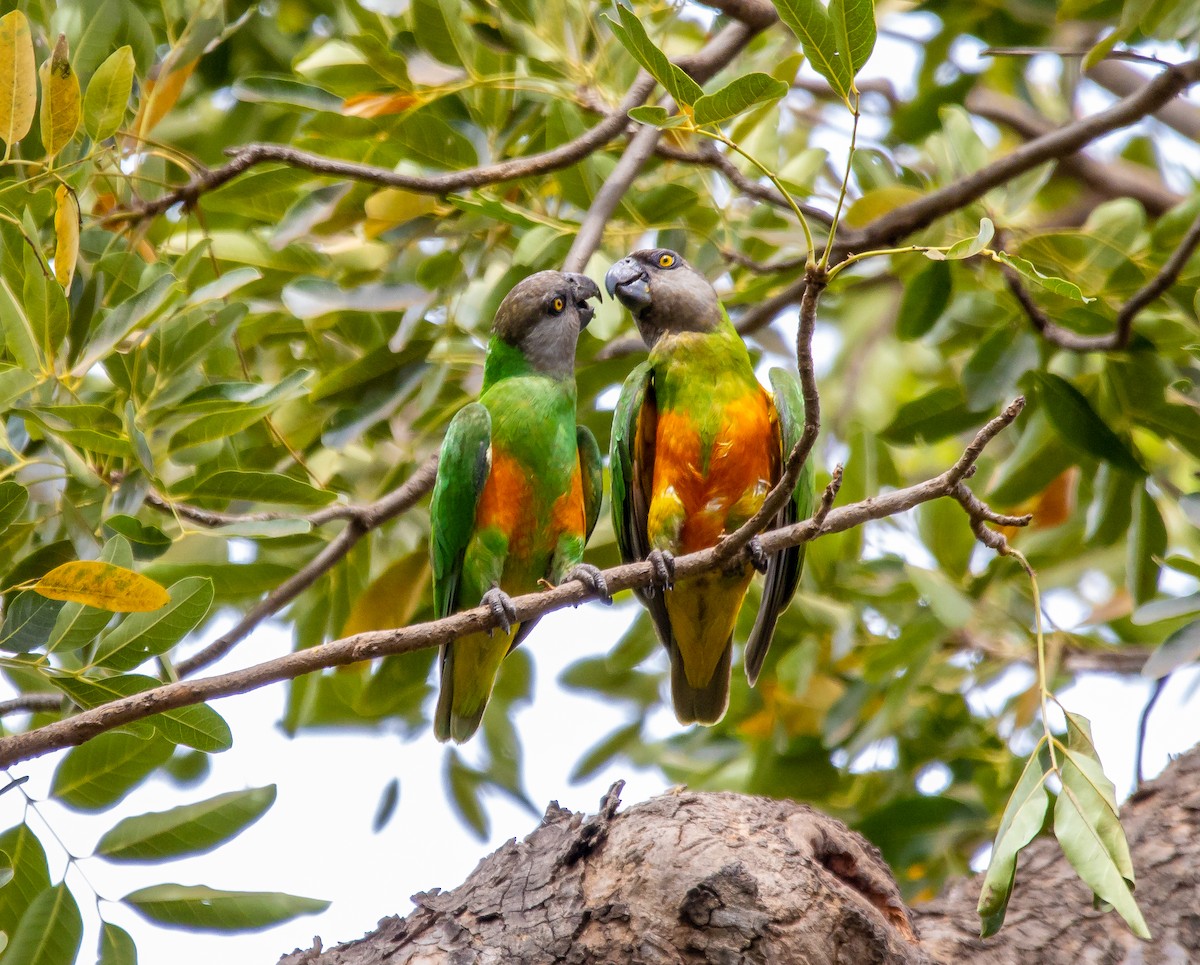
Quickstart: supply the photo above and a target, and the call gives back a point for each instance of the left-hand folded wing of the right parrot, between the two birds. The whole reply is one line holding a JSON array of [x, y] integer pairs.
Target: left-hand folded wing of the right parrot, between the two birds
[[632, 461]]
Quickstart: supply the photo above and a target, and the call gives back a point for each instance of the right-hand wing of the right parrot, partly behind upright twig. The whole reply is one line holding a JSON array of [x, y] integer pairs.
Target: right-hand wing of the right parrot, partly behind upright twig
[[784, 570]]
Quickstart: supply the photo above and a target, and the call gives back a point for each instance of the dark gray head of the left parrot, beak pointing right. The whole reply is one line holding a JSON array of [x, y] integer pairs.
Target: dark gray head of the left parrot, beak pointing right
[[544, 315]]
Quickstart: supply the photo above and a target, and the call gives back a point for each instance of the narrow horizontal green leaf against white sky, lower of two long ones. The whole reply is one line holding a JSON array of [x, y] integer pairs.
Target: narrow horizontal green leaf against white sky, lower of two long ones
[[200, 908]]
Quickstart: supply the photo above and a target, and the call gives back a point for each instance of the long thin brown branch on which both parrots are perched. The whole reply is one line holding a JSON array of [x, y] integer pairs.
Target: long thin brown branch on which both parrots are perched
[[376, 644]]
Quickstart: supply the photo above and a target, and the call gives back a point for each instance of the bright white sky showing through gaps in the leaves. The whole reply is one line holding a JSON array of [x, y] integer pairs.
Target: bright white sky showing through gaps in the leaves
[[317, 838]]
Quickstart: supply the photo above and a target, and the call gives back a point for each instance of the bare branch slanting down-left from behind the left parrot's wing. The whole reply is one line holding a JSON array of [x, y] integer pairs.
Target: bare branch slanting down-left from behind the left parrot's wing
[[367, 519]]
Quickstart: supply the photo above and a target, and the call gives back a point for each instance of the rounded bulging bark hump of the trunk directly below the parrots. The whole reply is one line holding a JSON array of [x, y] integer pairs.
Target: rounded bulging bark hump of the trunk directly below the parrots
[[683, 878]]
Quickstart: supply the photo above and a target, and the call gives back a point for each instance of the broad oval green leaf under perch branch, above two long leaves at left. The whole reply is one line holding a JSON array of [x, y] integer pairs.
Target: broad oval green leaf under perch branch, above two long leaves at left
[[98, 775]]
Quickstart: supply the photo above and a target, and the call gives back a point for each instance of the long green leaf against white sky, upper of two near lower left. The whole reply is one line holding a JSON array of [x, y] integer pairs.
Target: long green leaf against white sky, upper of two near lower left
[[189, 830]]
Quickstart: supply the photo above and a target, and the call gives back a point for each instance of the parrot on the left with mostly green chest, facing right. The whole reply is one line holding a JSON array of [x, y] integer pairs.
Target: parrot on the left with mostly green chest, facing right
[[519, 488]]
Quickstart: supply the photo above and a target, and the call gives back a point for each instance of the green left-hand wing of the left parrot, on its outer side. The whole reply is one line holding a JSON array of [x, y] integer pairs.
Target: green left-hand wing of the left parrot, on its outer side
[[463, 471]]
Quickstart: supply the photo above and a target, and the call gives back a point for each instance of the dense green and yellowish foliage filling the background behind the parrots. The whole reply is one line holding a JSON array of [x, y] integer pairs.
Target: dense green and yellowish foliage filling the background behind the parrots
[[290, 340]]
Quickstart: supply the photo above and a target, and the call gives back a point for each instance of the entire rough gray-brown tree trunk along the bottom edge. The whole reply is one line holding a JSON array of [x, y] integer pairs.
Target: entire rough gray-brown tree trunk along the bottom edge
[[723, 878]]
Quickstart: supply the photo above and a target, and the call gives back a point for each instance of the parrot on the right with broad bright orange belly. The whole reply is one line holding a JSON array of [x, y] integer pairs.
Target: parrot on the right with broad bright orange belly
[[697, 446]]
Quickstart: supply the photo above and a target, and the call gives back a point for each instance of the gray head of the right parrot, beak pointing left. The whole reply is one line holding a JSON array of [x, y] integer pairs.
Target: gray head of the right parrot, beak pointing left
[[664, 293]]
